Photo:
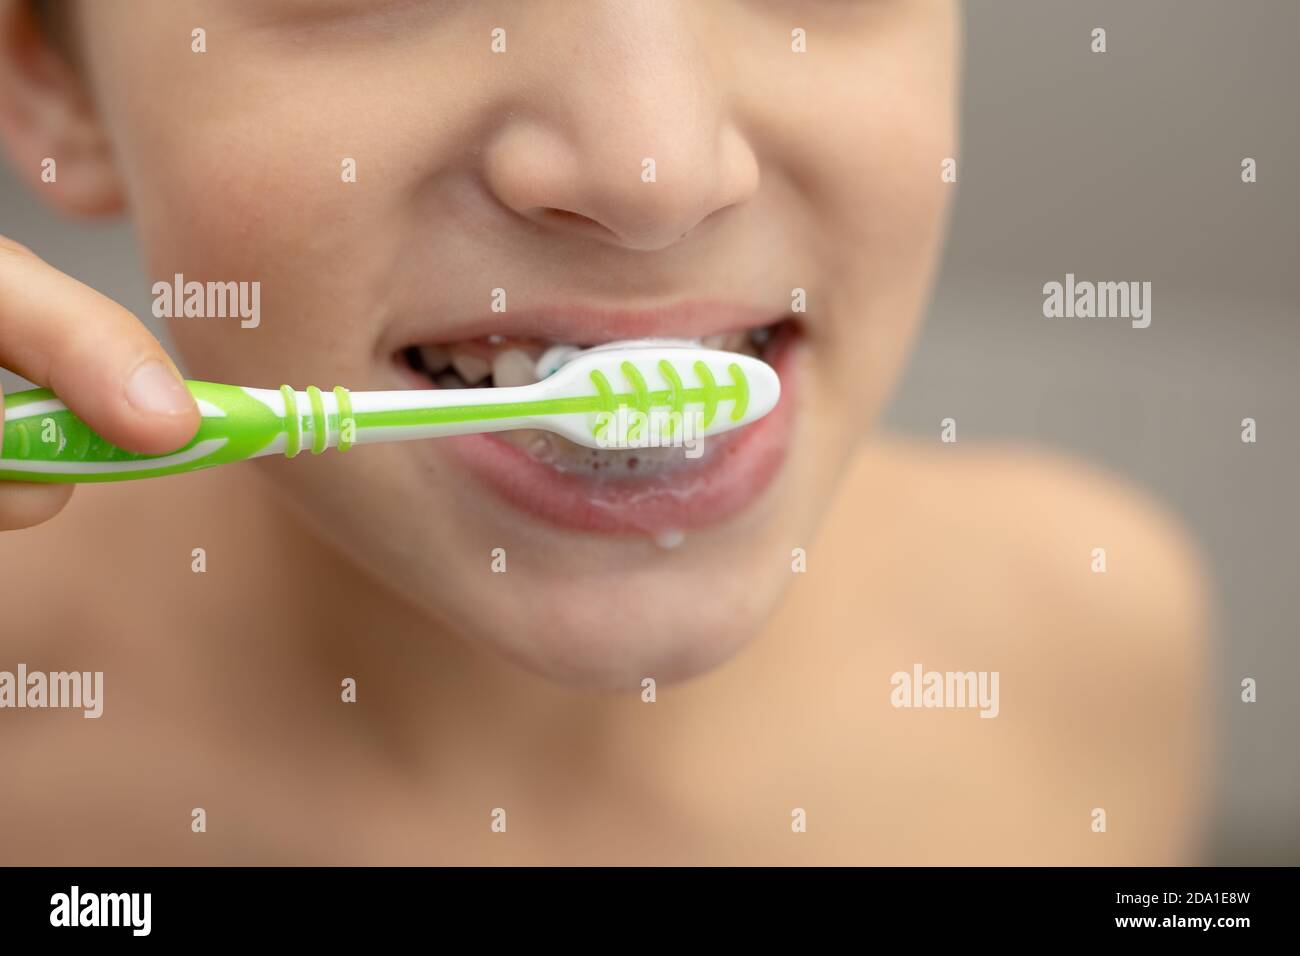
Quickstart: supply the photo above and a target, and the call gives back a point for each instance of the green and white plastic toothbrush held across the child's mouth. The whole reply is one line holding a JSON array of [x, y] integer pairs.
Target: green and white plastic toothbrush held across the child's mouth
[[625, 395]]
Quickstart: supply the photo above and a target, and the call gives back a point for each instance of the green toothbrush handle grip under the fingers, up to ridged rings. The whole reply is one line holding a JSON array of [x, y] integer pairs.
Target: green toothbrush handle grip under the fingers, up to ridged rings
[[44, 442]]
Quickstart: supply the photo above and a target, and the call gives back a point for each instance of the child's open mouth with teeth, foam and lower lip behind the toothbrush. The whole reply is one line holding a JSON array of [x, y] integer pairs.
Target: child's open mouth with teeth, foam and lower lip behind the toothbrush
[[648, 491]]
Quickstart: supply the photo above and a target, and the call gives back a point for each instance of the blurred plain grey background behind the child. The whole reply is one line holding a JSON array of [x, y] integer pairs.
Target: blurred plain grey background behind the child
[[1117, 166]]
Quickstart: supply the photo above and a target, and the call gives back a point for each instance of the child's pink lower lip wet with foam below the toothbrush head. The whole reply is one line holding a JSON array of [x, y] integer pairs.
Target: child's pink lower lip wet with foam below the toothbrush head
[[742, 465]]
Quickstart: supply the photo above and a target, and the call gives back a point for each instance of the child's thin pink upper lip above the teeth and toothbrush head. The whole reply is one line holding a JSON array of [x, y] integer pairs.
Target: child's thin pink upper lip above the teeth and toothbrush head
[[586, 325]]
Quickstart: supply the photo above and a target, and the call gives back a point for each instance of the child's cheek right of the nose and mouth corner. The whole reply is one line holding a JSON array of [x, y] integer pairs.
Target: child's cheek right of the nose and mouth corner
[[856, 137]]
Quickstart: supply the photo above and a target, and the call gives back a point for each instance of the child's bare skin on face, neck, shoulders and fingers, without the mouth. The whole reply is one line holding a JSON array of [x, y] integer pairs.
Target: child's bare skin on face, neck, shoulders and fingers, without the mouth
[[818, 174]]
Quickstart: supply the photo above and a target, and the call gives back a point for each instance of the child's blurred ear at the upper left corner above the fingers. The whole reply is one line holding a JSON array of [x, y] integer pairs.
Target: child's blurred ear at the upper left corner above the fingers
[[49, 124]]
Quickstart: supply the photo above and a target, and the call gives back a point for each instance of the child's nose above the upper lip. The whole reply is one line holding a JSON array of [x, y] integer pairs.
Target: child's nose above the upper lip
[[627, 141]]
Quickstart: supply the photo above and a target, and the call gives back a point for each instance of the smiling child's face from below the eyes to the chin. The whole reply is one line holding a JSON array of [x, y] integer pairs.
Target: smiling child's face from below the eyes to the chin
[[523, 171]]
